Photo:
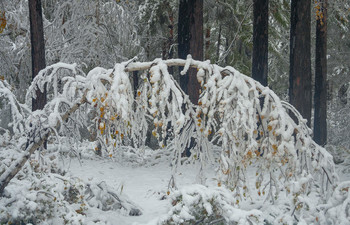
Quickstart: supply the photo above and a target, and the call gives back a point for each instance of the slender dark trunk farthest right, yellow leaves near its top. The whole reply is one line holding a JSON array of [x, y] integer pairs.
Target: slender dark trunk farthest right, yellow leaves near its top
[[320, 98]]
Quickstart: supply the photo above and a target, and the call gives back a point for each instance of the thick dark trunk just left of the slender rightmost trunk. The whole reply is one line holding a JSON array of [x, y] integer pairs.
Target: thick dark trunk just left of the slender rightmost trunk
[[300, 58]]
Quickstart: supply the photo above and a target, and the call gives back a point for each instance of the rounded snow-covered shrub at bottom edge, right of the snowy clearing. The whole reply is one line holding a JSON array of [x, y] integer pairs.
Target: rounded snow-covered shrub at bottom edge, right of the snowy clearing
[[198, 204]]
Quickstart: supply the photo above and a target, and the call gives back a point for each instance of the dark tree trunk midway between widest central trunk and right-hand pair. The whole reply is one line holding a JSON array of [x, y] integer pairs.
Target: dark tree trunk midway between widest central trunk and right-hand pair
[[260, 41]]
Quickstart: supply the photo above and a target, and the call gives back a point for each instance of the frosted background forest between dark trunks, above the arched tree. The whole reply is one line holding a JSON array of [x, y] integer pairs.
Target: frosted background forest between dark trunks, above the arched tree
[[100, 33]]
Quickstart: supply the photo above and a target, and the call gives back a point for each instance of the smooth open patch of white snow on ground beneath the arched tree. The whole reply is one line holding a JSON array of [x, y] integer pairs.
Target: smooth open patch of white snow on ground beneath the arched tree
[[146, 183]]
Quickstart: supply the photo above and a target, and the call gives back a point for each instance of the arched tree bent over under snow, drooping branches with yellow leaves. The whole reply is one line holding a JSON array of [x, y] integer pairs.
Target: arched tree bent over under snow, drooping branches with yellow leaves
[[251, 124]]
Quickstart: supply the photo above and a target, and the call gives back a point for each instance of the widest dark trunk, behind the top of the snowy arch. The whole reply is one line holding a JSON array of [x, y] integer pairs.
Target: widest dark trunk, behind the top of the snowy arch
[[190, 28]]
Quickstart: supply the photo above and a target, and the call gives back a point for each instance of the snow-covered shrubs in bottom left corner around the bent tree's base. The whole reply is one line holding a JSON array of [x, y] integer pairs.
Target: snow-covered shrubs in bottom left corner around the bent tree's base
[[40, 194]]
